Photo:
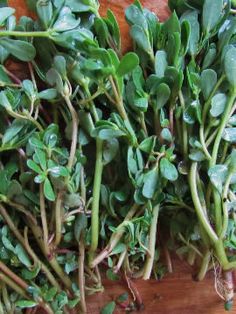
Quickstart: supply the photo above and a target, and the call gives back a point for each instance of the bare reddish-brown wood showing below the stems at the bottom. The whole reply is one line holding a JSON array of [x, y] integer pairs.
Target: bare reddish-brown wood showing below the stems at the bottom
[[177, 293]]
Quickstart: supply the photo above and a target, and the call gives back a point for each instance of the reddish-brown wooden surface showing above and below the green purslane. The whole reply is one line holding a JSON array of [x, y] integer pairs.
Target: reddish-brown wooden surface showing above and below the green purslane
[[176, 293]]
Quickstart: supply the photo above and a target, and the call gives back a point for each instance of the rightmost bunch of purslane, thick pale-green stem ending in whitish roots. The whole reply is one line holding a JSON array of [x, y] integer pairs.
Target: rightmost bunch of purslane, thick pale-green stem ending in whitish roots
[[192, 89]]
